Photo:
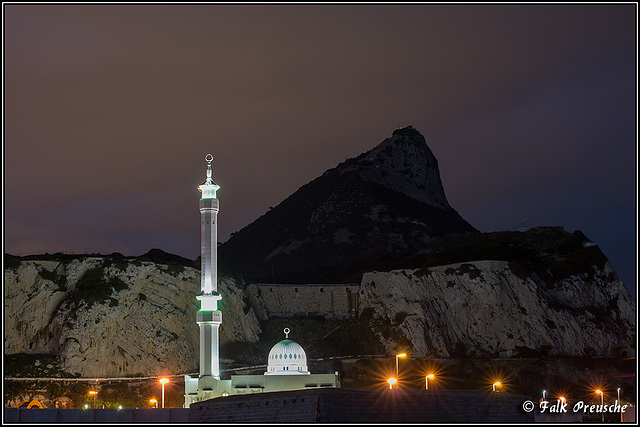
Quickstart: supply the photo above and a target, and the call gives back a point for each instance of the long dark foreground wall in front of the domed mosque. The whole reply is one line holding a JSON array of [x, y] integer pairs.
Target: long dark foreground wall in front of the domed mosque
[[364, 406]]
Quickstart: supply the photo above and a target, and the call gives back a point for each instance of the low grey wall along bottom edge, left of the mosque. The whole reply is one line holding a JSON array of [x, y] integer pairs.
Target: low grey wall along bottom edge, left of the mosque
[[14, 415]]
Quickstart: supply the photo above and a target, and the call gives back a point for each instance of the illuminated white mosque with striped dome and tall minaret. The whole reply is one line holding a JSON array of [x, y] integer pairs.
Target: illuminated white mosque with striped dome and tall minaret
[[287, 361]]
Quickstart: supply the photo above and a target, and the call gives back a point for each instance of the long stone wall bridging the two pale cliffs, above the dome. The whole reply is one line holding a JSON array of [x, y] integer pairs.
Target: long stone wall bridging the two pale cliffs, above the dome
[[330, 301]]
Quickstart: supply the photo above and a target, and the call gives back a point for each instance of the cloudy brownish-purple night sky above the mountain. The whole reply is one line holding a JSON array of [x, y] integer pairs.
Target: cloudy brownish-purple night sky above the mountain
[[109, 111]]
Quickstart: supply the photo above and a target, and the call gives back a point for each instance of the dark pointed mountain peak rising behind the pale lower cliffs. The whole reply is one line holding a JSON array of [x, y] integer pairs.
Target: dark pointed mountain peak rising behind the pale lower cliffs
[[386, 202]]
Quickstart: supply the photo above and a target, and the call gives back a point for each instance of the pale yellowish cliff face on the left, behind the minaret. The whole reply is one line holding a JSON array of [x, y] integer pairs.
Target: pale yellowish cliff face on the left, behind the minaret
[[114, 319]]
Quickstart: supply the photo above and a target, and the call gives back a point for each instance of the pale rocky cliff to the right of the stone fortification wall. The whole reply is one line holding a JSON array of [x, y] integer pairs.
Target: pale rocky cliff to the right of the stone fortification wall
[[483, 307]]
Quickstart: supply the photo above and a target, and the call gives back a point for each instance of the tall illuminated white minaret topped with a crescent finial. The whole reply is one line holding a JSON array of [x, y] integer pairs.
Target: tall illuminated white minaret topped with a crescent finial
[[209, 317]]
